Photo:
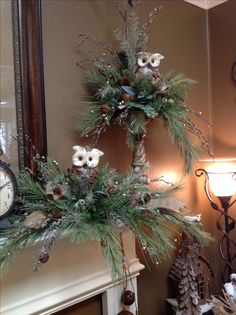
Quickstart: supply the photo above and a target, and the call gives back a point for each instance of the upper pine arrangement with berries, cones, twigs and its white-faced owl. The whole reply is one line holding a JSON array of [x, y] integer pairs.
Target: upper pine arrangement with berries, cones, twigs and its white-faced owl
[[129, 90]]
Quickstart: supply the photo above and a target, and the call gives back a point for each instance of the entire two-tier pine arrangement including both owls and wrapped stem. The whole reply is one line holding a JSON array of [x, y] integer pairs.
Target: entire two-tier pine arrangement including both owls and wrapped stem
[[89, 203]]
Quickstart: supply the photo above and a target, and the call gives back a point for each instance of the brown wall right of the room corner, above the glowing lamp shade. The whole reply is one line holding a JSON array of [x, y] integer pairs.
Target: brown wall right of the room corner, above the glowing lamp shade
[[223, 47]]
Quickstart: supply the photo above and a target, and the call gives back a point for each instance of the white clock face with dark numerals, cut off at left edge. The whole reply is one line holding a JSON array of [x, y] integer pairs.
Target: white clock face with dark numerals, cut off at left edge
[[7, 190]]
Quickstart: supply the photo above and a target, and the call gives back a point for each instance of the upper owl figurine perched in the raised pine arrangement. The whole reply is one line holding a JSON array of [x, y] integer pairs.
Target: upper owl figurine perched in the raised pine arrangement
[[148, 64]]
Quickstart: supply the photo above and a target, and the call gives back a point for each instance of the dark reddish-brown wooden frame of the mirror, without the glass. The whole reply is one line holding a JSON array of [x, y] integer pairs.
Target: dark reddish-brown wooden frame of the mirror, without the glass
[[29, 81]]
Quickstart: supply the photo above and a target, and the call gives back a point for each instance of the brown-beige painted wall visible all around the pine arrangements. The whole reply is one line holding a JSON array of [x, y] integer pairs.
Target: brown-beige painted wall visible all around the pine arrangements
[[179, 32]]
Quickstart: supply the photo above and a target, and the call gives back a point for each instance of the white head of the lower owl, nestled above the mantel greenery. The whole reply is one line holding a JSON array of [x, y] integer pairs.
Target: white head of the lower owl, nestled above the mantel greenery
[[83, 157]]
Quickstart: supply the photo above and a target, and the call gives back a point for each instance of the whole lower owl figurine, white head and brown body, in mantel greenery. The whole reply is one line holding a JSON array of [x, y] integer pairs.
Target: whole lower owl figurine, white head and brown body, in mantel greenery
[[85, 163]]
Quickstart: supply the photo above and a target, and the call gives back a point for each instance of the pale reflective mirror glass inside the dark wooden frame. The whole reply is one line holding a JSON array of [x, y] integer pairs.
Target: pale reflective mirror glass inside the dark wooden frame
[[8, 127]]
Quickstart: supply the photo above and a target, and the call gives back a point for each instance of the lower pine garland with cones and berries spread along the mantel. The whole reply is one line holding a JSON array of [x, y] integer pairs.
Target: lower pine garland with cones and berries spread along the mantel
[[59, 203]]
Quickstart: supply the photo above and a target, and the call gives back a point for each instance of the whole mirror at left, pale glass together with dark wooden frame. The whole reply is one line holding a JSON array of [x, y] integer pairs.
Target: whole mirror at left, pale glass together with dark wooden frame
[[22, 90]]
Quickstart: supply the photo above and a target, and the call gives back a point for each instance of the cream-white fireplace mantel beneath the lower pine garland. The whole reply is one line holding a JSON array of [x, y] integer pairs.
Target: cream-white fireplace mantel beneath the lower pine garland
[[72, 274]]
